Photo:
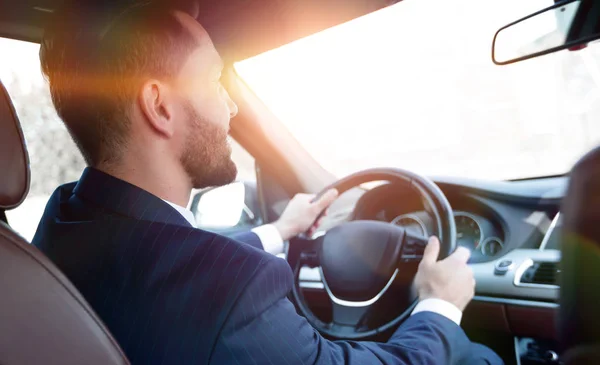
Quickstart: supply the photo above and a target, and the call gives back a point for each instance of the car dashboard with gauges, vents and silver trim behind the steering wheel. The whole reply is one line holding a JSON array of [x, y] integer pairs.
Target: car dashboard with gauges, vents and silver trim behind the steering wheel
[[512, 229]]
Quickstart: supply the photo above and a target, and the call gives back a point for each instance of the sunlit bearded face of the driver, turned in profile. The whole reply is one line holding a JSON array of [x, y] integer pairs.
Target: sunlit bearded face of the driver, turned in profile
[[207, 108]]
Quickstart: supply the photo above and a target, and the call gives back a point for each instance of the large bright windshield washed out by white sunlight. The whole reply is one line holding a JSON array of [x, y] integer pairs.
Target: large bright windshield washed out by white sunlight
[[413, 86]]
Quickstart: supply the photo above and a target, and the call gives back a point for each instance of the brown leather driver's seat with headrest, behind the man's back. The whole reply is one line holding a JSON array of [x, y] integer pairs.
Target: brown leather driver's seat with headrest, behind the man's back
[[43, 318]]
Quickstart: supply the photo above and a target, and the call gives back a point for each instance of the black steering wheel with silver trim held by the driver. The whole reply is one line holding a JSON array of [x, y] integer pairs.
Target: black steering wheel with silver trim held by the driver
[[360, 260]]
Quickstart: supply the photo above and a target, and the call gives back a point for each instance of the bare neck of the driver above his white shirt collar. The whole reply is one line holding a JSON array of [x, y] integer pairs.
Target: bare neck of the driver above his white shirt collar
[[165, 184]]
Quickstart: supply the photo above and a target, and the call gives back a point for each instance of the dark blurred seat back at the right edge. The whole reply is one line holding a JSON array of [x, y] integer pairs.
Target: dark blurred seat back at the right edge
[[580, 263]]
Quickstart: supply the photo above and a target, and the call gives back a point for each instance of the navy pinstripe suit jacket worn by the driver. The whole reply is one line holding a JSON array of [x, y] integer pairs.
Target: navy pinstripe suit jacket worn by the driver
[[172, 294]]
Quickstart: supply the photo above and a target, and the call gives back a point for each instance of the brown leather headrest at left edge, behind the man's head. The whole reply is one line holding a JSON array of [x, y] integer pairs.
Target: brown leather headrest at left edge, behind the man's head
[[14, 160]]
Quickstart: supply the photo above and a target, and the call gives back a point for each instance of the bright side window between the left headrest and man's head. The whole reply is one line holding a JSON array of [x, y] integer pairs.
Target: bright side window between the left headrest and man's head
[[54, 158]]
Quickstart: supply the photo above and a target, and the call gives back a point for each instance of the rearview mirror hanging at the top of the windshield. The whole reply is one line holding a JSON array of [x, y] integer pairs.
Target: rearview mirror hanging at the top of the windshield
[[540, 33]]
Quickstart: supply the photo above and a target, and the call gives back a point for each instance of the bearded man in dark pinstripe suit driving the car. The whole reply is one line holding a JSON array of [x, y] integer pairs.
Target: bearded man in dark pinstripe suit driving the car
[[141, 97]]
